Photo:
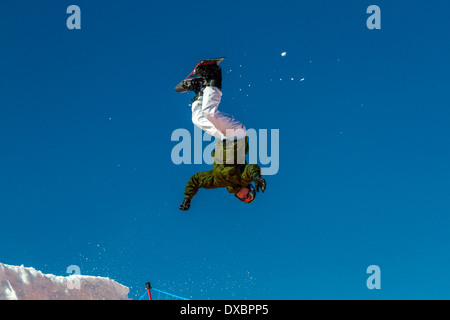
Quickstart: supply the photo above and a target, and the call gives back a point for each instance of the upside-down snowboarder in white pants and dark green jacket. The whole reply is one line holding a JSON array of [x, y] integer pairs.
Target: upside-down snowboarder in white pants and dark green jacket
[[230, 169]]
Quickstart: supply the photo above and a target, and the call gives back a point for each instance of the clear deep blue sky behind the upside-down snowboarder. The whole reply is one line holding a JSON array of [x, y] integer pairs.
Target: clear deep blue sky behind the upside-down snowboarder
[[86, 118]]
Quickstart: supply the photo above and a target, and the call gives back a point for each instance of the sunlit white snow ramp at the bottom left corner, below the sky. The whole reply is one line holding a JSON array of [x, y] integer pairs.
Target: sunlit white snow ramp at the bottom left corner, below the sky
[[22, 283]]
